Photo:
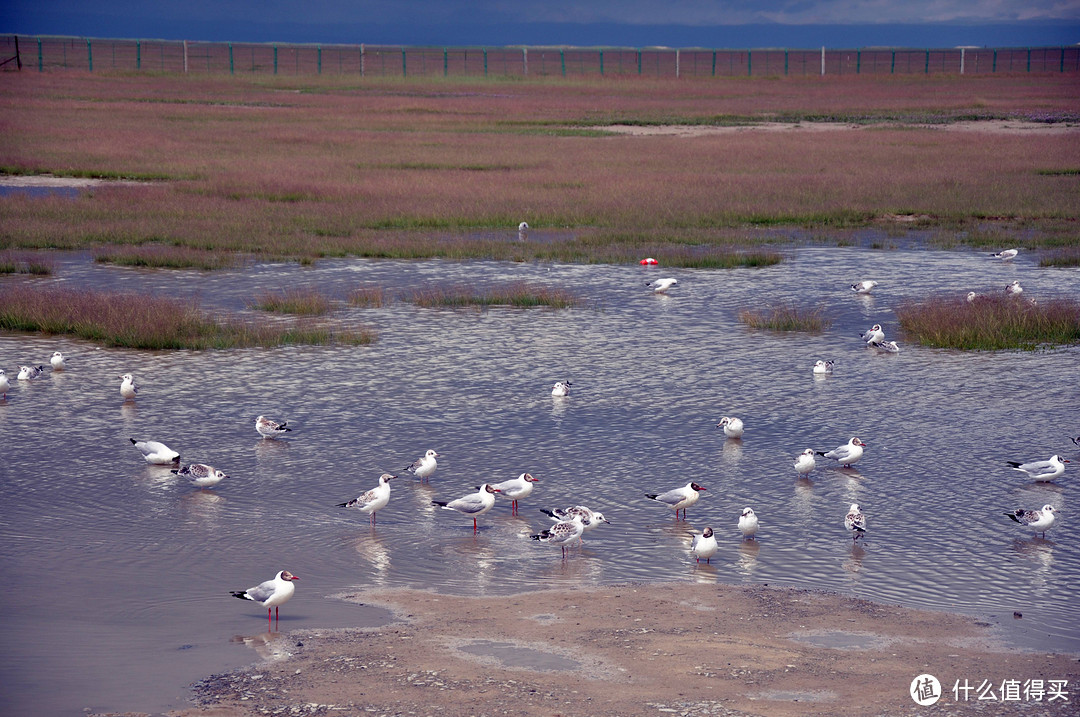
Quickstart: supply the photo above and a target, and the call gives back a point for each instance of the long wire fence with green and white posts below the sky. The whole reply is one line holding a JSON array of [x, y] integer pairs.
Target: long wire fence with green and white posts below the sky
[[46, 53]]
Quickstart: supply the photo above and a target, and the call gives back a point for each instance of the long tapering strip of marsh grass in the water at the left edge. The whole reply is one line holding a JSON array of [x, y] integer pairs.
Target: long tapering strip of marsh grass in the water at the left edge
[[148, 322]]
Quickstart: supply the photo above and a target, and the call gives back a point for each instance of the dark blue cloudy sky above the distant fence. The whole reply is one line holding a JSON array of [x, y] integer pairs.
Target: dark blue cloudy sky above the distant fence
[[625, 23]]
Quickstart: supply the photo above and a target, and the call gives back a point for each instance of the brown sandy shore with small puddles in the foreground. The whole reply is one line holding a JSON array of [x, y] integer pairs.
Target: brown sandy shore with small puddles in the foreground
[[676, 650]]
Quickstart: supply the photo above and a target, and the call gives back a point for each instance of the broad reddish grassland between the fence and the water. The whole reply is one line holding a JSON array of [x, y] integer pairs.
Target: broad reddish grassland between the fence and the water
[[317, 167]]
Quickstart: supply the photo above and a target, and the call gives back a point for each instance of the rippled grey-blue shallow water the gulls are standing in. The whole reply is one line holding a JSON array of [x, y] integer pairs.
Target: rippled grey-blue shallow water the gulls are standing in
[[118, 574]]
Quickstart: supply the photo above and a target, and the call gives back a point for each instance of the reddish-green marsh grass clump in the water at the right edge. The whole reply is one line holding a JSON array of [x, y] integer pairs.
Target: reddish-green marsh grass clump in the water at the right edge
[[991, 323]]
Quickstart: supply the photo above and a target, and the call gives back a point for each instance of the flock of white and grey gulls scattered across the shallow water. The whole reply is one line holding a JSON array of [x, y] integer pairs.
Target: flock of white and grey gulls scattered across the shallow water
[[573, 522]]
